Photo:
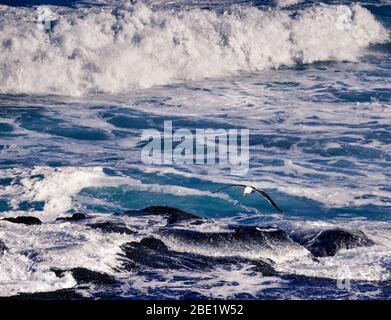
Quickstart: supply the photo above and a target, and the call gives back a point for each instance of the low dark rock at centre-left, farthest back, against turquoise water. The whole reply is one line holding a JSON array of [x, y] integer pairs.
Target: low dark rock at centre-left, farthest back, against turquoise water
[[173, 215]]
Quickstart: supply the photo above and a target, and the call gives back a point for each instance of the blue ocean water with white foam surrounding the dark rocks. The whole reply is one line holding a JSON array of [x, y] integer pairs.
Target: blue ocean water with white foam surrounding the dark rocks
[[312, 83]]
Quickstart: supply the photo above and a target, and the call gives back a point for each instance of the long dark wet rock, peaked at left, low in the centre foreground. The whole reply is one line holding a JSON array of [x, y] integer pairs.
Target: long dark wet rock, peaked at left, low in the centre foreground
[[154, 254]]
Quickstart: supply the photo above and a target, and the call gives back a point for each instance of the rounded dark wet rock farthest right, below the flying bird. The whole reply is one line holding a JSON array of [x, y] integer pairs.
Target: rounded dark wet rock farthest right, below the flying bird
[[329, 242]]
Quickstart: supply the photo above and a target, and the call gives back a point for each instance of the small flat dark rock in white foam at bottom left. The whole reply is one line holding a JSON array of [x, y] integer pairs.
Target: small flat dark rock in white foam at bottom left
[[83, 275]]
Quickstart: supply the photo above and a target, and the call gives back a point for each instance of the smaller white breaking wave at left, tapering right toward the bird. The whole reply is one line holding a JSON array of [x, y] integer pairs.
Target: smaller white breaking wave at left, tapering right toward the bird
[[58, 187]]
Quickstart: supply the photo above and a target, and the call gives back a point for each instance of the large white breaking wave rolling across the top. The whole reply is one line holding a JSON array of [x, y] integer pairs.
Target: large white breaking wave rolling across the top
[[116, 50]]
